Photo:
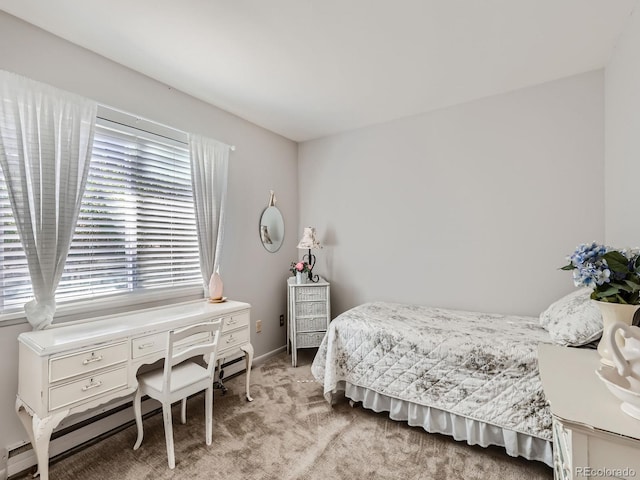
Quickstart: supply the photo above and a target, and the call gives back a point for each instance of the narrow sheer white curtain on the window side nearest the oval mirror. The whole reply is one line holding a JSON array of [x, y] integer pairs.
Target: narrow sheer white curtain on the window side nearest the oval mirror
[[209, 174]]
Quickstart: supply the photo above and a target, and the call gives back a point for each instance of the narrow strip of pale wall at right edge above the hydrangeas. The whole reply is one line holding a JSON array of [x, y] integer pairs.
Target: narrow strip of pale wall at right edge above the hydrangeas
[[622, 114]]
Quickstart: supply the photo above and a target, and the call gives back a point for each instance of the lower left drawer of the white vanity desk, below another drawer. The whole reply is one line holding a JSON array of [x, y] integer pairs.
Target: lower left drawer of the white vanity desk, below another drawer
[[87, 388]]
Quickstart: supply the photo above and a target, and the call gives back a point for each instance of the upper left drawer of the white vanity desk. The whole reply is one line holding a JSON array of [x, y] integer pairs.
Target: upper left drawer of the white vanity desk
[[87, 361]]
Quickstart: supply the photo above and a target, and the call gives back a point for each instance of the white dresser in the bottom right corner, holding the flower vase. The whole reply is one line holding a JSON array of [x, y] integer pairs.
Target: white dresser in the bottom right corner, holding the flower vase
[[592, 437]]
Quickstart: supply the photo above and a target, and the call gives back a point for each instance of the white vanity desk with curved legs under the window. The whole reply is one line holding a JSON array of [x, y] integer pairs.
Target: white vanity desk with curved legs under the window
[[74, 367]]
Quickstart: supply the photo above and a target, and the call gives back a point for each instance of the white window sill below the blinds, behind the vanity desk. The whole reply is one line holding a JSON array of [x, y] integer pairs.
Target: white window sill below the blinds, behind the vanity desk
[[88, 309]]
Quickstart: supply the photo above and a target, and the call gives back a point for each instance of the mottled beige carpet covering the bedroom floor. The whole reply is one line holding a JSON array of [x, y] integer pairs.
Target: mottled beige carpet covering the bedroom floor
[[290, 432]]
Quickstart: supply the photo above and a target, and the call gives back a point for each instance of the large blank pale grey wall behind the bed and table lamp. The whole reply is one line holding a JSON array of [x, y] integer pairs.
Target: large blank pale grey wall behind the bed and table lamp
[[472, 207]]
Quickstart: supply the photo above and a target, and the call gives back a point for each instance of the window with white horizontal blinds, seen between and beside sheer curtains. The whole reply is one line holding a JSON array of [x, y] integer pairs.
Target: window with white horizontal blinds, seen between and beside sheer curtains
[[136, 229]]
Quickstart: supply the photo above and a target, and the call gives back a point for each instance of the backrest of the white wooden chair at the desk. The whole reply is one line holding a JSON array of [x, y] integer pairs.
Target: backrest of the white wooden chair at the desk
[[192, 341]]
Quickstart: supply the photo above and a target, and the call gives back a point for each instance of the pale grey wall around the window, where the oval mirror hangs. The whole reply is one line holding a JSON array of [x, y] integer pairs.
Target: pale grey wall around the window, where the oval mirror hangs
[[262, 161]]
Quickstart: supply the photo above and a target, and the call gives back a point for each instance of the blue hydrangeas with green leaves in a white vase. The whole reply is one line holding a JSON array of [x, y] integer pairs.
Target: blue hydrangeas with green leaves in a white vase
[[614, 276]]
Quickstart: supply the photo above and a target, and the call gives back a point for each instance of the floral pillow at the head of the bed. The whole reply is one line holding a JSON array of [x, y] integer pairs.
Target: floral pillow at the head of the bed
[[573, 320]]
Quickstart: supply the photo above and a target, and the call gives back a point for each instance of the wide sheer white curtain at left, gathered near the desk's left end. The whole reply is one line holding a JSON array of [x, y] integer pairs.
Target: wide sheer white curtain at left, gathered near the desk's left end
[[46, 137]]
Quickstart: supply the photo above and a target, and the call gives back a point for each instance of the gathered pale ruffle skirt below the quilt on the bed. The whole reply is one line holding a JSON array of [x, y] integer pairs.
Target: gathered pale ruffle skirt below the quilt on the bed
[[434, 420]]
